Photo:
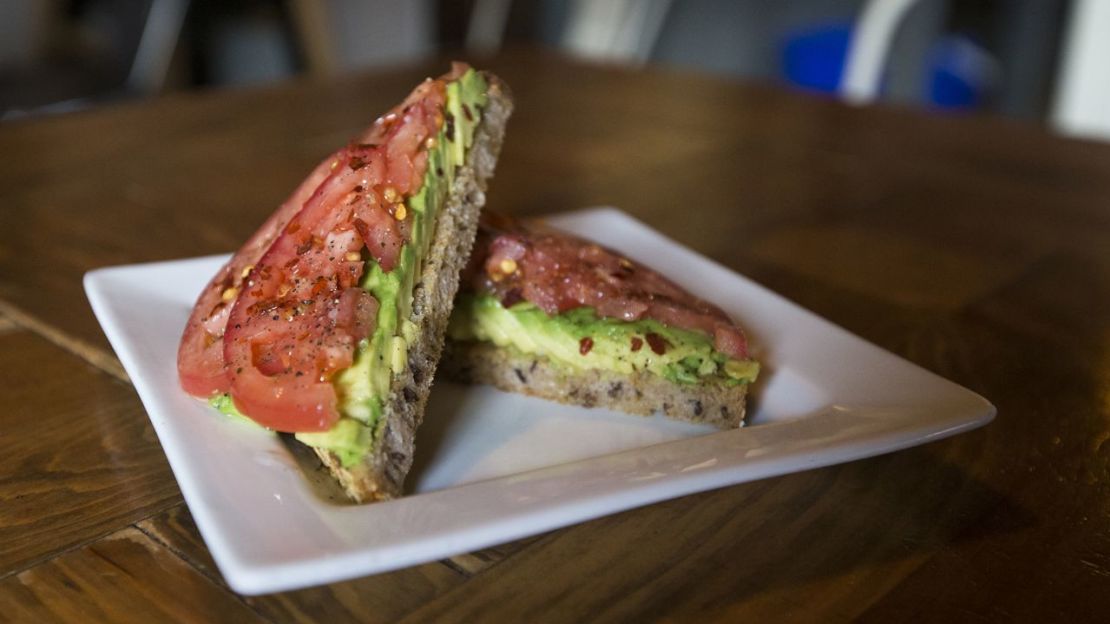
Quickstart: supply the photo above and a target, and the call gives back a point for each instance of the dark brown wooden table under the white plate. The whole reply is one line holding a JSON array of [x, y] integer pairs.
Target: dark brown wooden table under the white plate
[[976, 248]]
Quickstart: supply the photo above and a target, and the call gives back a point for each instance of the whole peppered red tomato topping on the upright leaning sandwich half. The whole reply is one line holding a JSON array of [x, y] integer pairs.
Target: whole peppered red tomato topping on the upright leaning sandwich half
[[386, 163]]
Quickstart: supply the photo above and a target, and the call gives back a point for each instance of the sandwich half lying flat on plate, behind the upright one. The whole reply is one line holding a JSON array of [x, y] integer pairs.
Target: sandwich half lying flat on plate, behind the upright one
[[553, 316]]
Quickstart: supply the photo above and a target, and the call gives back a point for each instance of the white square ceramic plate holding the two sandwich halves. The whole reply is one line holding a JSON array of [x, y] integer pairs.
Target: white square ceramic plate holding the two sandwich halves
[[495, 467]]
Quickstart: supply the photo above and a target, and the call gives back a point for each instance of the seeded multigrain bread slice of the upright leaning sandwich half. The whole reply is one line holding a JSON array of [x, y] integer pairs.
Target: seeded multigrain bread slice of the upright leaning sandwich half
[[382, 472]]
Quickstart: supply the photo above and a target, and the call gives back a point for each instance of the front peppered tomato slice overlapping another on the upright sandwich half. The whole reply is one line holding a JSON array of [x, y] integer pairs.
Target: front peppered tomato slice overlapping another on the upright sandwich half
[[289, 331]]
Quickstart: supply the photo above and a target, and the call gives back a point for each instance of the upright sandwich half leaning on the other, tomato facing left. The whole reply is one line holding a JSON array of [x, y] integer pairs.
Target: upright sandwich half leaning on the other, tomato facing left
[[329, 323]]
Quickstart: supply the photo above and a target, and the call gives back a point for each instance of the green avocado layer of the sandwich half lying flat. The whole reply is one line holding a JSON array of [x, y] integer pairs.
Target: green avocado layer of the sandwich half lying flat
[[580, 339]]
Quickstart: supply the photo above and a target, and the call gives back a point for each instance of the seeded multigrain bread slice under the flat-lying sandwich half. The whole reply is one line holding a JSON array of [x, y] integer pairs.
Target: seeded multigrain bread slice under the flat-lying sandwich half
[[643, 394]]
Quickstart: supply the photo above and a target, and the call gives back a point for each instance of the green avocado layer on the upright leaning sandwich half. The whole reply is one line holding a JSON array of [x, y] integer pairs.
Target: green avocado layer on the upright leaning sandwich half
[[364, 388]]
